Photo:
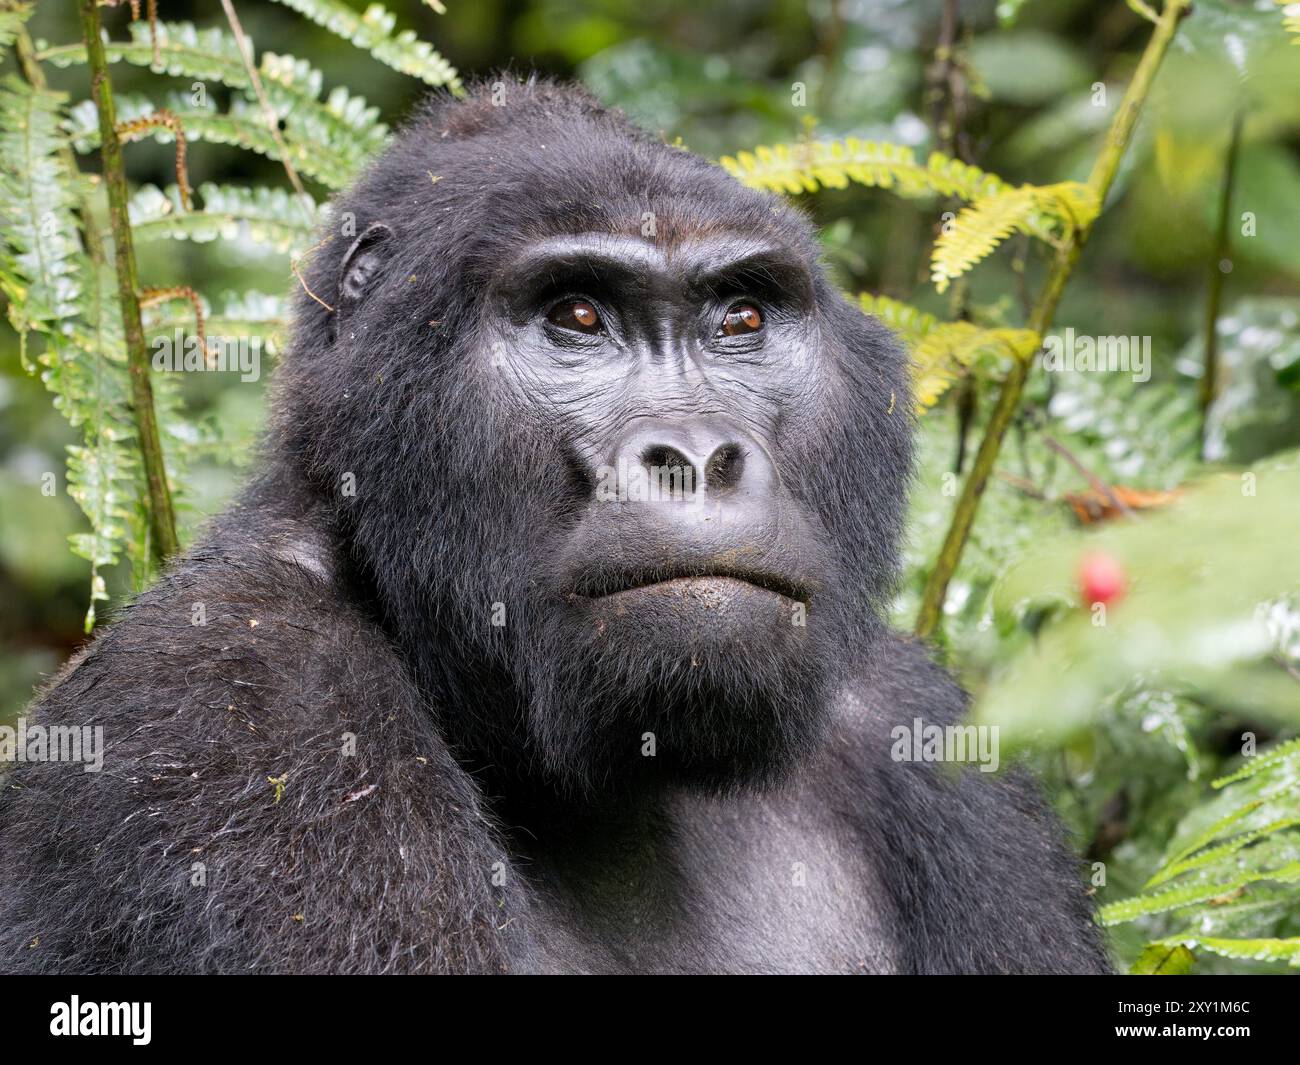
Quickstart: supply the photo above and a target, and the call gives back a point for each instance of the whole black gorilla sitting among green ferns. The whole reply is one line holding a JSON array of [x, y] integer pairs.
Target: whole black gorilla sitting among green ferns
[[549, 635]]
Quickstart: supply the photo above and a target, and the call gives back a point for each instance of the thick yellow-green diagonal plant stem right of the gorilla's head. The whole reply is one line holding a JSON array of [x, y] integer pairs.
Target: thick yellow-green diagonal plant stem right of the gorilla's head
[[1041, 321]]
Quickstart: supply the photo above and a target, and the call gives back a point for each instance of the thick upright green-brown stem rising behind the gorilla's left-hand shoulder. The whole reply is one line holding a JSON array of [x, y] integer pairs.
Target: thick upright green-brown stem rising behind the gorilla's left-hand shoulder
[[159, 503]]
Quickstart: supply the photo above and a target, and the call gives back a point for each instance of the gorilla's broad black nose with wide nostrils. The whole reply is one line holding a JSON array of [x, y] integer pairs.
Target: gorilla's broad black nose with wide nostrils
[[686, 460]]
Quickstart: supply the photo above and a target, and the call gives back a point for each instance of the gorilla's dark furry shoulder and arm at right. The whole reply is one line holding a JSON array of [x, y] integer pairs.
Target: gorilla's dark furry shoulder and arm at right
[[963, 847]]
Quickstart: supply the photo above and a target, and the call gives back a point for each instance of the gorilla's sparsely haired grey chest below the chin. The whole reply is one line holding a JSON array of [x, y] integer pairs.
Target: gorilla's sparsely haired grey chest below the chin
[[772, 885]]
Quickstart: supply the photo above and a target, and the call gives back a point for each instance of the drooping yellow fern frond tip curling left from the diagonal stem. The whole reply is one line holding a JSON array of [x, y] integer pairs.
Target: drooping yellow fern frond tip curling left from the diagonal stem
[[982, 227]]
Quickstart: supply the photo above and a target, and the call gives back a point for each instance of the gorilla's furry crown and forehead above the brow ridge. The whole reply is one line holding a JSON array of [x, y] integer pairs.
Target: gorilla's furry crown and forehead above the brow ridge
[[538, 171]]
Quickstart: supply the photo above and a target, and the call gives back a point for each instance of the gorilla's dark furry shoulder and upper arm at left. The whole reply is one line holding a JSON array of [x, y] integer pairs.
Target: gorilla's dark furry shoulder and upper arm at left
[[263, 746]]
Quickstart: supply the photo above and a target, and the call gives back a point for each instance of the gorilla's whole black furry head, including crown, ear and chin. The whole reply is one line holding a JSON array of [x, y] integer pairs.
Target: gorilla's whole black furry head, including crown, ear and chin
[[616, 465]]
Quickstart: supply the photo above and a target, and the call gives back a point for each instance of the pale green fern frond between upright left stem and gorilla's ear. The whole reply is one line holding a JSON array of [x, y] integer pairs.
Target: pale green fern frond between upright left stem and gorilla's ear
[[266, 217]]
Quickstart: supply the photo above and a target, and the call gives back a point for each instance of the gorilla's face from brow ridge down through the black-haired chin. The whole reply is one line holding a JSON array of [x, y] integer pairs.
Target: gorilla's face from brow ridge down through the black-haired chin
[[679, 581]]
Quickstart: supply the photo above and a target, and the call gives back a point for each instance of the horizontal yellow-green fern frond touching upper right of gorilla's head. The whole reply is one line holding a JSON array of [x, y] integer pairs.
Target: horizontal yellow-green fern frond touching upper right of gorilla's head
[[834, 164]]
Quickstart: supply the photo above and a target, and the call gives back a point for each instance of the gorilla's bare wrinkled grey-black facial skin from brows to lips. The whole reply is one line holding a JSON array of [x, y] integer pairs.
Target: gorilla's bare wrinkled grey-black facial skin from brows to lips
[[666, 399]]
